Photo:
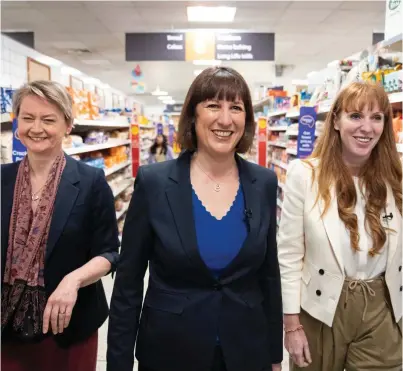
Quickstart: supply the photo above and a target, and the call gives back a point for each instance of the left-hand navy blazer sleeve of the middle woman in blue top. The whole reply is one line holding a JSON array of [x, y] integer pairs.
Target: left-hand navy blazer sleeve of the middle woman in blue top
[[127, 296]]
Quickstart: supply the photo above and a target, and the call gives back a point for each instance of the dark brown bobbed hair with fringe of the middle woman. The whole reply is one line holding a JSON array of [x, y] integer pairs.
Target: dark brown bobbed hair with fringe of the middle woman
[[222, 83]]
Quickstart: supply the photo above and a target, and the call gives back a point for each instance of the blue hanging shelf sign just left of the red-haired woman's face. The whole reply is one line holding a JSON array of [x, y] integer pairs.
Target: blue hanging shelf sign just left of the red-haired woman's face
[[306, 131]]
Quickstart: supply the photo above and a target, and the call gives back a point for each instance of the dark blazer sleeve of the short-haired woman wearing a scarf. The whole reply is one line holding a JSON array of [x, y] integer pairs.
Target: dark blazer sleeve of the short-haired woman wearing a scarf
[[105, 235]]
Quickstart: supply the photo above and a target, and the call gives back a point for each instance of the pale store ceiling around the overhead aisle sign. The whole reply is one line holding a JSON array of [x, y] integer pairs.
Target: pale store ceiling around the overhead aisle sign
[[309, 34]]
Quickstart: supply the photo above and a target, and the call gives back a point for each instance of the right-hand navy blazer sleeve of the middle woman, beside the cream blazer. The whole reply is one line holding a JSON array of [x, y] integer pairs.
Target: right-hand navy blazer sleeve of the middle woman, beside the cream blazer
[[271, 281]]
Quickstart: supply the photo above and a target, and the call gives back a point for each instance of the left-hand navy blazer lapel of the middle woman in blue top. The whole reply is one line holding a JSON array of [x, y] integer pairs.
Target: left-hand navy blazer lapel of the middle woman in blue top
[[179, 195]]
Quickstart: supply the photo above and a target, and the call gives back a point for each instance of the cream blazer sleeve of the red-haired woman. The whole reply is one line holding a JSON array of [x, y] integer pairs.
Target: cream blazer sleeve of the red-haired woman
[[291, 247]]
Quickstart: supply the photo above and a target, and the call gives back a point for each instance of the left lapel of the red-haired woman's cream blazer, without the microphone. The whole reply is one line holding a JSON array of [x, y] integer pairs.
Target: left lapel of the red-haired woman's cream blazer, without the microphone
[[331, 222]]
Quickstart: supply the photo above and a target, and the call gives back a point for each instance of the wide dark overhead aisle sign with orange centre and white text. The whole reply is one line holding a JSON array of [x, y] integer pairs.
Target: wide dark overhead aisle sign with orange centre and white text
[[180, 46]]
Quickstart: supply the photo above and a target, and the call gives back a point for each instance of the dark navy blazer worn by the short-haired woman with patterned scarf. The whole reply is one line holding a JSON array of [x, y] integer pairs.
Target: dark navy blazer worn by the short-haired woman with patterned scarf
[[83, 226]]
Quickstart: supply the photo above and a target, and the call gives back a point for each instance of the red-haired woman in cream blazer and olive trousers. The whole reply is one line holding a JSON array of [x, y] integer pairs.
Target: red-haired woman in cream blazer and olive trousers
[[340, 241]]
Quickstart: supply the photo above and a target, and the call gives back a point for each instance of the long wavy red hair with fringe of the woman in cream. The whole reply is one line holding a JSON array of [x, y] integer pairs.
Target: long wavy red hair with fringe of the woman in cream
[[383, 167]]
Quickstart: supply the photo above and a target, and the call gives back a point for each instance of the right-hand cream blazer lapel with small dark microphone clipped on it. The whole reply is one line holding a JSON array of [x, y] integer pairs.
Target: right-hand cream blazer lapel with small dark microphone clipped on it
[[393, 225]]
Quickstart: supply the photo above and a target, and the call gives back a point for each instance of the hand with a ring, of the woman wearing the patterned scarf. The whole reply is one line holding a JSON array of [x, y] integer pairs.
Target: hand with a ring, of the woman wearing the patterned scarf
[[60, 305]]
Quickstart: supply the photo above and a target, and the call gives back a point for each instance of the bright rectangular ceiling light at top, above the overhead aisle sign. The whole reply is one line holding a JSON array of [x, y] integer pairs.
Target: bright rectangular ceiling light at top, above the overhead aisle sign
[[211, 13]]
